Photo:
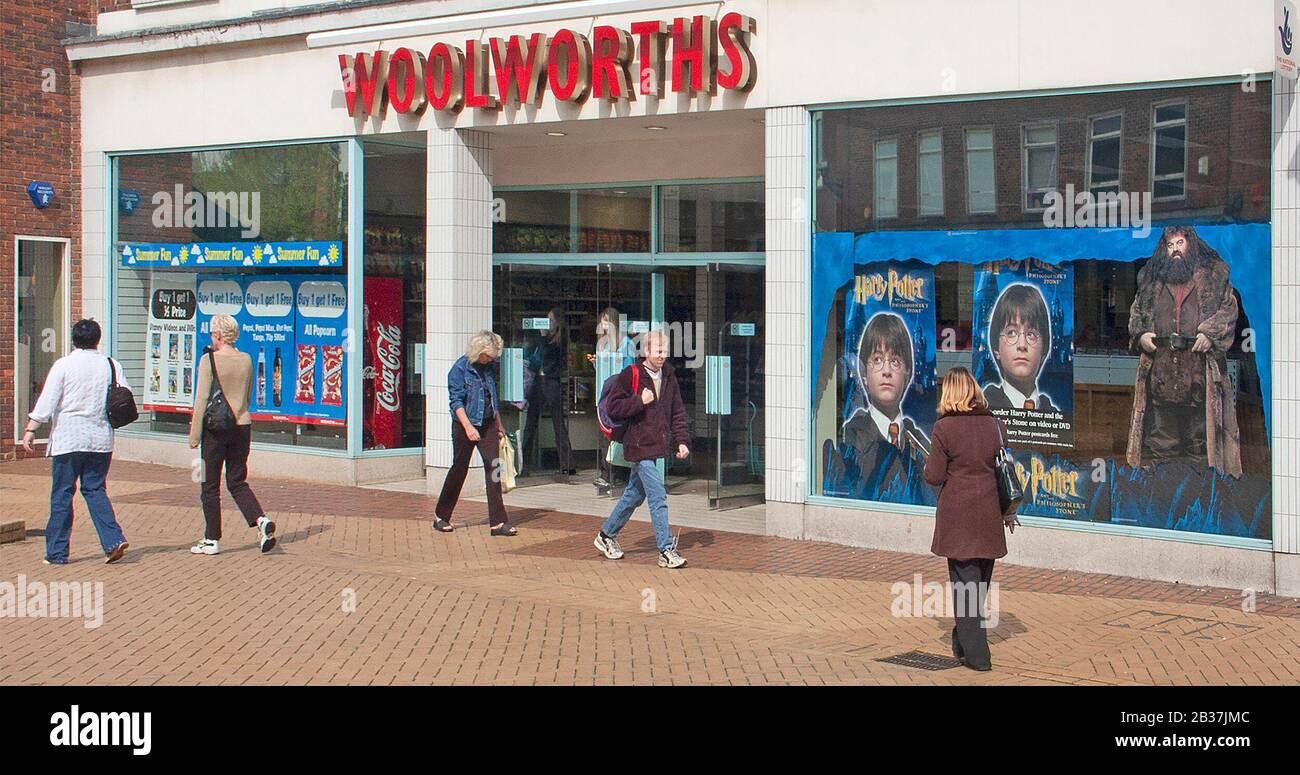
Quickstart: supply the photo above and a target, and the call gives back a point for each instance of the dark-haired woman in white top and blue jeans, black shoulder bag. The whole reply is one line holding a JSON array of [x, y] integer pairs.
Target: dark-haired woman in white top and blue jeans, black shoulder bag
[[81, 441]]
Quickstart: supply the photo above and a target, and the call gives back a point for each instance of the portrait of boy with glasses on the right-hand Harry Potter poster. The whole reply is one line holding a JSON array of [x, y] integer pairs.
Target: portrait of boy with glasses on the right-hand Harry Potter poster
[[1020, 334]]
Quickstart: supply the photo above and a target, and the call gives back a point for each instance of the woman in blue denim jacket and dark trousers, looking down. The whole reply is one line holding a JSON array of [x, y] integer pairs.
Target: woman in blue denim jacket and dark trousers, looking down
[[475, 425]]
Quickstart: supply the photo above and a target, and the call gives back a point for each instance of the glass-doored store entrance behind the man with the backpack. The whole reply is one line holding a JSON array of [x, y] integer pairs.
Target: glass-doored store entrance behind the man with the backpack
[[567, 328]]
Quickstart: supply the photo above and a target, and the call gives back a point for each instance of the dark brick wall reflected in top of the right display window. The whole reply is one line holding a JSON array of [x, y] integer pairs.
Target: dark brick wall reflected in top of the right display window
[[1225, 124]]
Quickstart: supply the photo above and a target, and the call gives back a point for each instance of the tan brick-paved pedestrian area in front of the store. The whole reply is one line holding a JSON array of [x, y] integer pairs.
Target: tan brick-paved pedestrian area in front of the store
[[361, 591]]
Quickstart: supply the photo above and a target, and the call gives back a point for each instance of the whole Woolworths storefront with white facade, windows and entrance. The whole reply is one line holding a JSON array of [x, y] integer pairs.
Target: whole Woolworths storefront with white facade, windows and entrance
[[827, 205]]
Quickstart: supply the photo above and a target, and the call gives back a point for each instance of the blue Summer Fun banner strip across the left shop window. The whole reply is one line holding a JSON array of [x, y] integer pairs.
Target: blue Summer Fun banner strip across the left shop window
[[197, 256]]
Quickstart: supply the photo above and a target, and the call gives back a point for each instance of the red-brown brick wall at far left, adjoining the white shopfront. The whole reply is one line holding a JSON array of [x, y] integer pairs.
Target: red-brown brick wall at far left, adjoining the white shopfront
[[40, 141]]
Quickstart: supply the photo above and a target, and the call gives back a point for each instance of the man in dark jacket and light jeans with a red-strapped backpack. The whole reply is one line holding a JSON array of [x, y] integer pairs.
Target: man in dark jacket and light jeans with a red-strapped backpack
[[655, 426]]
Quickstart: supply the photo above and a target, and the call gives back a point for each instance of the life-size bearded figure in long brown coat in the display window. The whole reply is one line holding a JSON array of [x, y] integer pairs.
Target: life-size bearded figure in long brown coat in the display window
[[1182, 323]]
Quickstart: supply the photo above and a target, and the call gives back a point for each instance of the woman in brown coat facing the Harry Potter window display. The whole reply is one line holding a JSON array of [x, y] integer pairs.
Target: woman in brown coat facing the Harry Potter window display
[[969, 522]]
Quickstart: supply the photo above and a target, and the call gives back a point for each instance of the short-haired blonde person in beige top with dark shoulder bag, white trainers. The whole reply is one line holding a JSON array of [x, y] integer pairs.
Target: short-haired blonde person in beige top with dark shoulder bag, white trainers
[[227, 448]]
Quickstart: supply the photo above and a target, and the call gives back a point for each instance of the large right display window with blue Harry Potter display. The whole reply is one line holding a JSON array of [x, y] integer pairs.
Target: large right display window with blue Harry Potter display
[[1102, 266]]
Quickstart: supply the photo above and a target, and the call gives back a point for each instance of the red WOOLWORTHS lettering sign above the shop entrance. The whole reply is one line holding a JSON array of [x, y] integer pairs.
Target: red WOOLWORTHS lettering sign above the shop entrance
[[569, 64]]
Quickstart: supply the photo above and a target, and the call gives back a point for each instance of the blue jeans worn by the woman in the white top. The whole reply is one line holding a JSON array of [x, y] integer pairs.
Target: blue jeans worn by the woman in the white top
[[92, 469]]
